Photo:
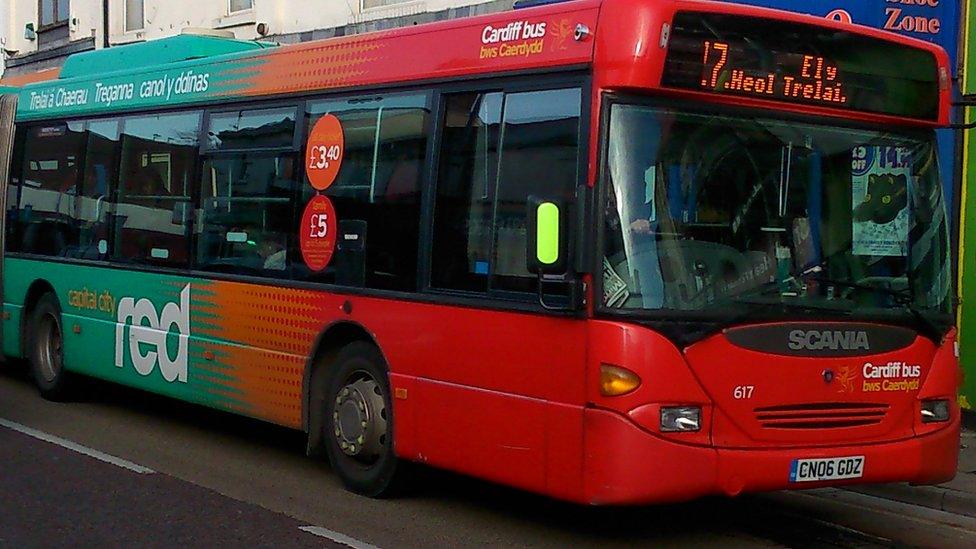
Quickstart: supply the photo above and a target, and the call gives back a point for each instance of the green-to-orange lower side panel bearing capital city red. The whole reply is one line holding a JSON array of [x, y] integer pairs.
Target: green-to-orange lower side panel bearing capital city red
[[215, 343]]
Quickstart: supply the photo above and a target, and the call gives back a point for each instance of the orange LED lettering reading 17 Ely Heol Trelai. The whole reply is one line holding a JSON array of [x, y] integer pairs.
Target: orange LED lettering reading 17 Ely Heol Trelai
[[814, 80]]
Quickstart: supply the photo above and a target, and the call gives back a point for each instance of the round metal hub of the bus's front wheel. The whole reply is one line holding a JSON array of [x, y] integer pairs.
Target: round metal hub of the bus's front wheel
[[359, 419]]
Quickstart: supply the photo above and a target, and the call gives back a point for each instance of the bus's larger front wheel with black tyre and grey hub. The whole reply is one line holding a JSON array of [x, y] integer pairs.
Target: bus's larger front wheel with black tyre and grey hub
[[359, 422]]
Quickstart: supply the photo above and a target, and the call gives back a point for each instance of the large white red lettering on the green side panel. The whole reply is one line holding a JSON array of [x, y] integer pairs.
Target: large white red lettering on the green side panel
[[147, 327]]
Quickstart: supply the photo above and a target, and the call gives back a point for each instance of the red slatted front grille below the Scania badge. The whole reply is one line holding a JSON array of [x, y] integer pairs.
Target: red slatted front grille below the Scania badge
[[821, 415]]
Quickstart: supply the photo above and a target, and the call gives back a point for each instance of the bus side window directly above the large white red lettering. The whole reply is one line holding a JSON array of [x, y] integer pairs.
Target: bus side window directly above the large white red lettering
[[159, 155]]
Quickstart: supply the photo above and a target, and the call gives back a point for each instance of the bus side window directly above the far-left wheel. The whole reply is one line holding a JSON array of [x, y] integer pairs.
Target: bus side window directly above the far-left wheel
[[47, 206]]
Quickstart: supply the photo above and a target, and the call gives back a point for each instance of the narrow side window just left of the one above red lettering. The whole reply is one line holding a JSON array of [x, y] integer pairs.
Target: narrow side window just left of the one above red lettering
[[95, 199]]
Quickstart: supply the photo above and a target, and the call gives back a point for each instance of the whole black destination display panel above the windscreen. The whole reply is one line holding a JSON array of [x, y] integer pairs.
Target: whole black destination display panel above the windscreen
[[797, 63]]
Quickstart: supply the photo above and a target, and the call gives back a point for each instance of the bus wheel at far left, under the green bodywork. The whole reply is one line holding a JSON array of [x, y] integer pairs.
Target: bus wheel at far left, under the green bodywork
[[46, 352]]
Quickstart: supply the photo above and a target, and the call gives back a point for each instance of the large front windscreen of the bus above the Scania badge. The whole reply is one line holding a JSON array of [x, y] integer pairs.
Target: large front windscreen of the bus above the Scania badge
[[723, 214]]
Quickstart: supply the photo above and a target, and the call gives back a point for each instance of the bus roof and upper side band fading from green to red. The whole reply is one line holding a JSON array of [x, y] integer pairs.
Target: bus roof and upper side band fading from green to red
[[193, 69]]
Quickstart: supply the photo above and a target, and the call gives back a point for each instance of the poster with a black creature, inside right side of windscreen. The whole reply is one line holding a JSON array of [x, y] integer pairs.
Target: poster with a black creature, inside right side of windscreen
[[880, 178]]
